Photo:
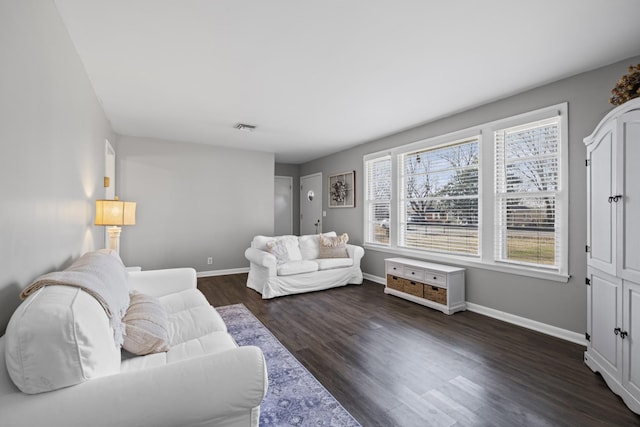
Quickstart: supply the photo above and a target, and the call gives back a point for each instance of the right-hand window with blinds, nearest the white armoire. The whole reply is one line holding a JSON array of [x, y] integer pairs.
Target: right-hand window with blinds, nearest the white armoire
[[527, 183]]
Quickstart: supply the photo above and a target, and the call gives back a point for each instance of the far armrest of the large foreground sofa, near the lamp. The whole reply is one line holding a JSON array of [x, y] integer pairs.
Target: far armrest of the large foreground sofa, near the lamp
[[162, 282]]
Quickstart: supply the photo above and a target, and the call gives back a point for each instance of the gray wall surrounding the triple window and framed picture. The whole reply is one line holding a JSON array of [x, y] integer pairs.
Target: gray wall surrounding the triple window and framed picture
[[559, 304]]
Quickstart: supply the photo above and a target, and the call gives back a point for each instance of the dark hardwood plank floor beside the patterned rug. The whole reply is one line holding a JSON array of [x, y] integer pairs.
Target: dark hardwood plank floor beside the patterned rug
[[391, 362]]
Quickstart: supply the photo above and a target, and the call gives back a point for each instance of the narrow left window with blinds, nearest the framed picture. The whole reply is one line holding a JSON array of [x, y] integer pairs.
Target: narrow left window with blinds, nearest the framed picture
[[378, 199]]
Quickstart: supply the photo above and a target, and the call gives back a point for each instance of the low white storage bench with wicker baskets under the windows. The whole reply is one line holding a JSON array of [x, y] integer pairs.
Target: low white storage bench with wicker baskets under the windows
[[433, 285]]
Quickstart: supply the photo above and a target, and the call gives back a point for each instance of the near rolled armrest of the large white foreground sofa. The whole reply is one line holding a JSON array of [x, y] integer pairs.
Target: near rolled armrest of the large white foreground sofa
[[202, 391]]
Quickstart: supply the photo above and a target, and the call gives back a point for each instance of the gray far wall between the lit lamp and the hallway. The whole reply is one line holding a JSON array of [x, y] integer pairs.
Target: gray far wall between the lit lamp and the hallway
[[193, 201]]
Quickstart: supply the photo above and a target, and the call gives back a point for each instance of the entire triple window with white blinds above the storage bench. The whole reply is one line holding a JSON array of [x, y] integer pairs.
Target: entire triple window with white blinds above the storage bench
[[492, 196]]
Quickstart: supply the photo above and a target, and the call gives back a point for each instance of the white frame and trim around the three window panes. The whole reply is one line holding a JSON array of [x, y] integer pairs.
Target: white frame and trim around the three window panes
[[486, 197]]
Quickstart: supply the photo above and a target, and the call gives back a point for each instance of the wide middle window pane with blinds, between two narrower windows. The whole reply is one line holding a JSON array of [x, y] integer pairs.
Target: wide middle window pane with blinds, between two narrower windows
[[439, 198]]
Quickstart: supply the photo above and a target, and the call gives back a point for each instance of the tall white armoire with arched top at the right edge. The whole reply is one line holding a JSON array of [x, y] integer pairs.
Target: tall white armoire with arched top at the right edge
[[613, 251]]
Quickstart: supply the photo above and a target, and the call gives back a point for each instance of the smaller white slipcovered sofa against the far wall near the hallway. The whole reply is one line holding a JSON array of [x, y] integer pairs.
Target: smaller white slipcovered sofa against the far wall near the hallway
[[303, 270]]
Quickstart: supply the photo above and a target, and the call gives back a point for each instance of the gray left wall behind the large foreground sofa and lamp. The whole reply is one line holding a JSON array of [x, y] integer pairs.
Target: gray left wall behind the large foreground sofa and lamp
[[52, 132]]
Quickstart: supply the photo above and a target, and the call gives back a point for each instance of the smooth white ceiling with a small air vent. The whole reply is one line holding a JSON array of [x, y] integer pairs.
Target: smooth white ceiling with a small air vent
[[317, 77]]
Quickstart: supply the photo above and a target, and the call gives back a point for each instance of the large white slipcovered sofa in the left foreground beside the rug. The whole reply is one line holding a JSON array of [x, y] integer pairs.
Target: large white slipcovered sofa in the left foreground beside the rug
[[204, 379]]
